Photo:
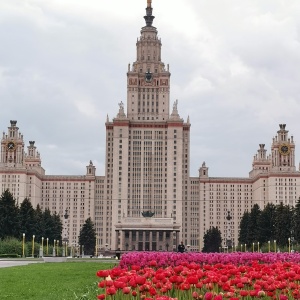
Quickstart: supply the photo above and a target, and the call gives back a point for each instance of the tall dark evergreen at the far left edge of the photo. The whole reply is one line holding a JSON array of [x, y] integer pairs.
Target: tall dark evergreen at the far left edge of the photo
[[9, 216]]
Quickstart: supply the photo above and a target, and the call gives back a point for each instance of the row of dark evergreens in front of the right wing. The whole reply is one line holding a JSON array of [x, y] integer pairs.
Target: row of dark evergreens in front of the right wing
[[274, 222]]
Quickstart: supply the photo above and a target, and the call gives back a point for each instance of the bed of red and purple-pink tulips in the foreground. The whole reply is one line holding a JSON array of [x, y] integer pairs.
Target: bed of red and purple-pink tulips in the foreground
[[202, 276]]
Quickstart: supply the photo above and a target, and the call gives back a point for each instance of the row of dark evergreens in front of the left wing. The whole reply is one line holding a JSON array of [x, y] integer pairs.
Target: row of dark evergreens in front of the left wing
[[16, 220]]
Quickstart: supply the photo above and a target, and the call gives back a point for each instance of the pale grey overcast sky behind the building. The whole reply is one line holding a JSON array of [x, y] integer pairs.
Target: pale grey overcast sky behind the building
[[235, 69]]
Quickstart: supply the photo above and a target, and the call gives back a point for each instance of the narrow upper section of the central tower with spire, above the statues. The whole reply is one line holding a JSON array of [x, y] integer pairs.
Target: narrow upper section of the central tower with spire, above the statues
[[148, 82]]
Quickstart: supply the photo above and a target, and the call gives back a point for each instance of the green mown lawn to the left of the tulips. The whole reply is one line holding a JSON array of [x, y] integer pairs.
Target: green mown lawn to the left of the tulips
[[49, 281]]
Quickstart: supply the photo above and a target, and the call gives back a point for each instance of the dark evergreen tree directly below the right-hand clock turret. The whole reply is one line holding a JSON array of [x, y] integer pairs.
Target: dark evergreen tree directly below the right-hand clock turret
[[283, 224]]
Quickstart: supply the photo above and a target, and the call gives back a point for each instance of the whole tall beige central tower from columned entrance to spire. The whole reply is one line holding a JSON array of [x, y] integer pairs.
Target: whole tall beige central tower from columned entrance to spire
[[147, 156]]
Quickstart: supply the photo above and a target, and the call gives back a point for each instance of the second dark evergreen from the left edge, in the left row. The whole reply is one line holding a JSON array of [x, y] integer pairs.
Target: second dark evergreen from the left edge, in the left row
[[27, 219]]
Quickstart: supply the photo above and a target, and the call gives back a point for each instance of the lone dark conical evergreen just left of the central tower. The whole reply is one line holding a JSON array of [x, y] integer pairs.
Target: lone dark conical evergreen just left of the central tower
[[87, 237]]
